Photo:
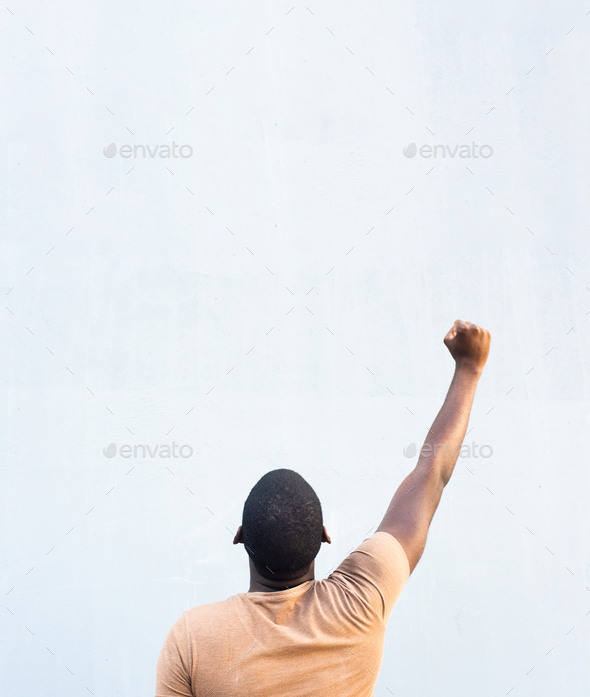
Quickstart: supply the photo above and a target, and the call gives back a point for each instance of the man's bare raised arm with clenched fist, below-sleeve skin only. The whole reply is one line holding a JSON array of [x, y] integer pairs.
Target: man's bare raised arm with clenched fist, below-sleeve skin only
[[413, 505]]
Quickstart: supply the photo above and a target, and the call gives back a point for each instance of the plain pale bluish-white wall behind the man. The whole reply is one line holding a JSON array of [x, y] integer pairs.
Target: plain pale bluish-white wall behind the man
[[279, 299]]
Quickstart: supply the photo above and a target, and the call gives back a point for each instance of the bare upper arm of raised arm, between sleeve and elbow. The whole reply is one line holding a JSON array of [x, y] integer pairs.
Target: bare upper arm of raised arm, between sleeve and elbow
[[411, 510]]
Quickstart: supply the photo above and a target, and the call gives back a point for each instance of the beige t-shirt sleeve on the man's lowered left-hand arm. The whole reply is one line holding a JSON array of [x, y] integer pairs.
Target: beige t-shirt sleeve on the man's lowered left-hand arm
[[173, 670]]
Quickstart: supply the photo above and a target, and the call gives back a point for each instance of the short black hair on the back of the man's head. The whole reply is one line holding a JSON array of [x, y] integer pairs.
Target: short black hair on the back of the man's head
[[282, 525]]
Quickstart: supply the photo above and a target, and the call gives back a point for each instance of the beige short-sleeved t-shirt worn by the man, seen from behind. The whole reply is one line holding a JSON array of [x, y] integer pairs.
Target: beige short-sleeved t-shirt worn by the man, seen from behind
[[319, 638]]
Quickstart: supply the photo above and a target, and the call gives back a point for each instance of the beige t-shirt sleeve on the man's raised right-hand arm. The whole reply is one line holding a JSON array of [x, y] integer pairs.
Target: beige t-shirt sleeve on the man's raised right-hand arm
[[375, 573]]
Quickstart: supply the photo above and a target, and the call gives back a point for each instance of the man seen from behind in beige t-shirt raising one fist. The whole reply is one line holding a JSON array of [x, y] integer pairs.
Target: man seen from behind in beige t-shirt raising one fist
[[291, 635]]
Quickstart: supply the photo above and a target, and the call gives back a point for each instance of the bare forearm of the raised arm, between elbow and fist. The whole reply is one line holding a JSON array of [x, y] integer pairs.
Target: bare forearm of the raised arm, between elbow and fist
[[443, 442]]
